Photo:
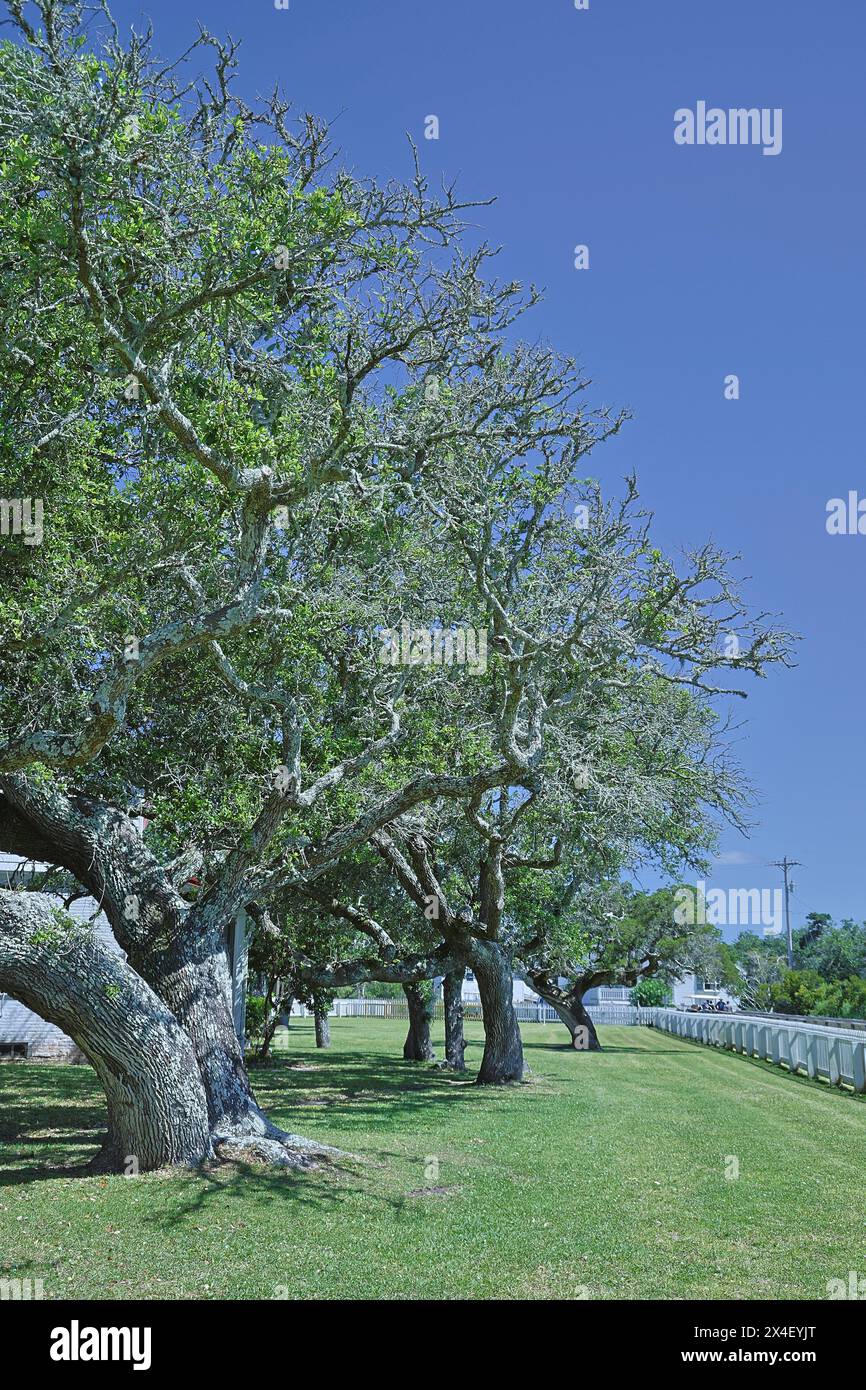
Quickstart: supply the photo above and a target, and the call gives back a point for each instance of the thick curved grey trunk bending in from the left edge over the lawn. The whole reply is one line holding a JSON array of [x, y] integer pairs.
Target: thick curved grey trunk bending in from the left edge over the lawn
[[158, 1111]]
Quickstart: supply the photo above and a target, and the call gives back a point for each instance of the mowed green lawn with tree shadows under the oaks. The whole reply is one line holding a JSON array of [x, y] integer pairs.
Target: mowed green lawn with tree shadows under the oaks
[[603, 1178]]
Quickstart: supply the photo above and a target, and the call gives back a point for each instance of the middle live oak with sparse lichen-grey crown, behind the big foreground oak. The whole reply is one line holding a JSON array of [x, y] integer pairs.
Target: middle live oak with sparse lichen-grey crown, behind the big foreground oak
[[630, 758]]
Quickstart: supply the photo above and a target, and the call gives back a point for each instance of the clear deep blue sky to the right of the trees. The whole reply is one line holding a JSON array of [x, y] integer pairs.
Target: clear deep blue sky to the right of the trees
[[704, 262]]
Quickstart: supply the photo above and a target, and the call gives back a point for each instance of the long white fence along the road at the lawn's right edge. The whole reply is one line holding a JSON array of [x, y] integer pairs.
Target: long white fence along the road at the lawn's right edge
[[836, 1056]]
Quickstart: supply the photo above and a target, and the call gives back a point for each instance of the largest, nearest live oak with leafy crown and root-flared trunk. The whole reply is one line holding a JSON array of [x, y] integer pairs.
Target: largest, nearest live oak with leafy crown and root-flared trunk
[[224, 365]]
